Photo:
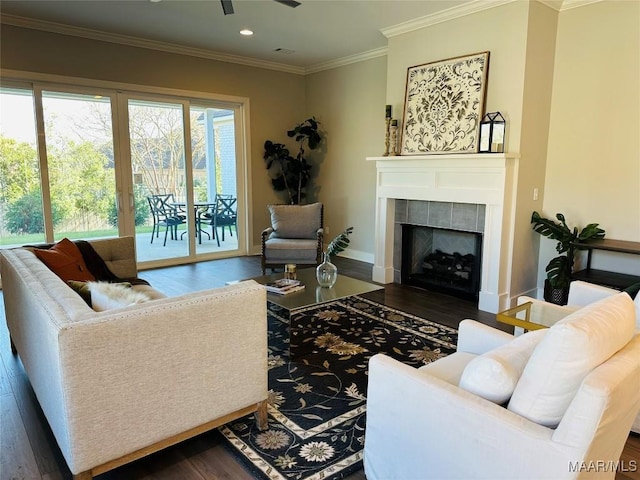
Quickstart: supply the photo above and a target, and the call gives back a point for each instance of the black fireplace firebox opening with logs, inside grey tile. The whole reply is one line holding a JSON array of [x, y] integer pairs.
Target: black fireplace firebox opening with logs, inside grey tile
[[440, 259]]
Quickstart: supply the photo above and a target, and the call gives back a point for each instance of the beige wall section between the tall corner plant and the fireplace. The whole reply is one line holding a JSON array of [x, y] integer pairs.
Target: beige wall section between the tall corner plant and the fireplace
[[349, 101]]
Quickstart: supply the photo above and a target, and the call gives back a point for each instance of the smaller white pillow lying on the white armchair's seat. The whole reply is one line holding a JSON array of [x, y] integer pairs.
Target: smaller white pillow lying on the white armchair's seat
[[494, 375]]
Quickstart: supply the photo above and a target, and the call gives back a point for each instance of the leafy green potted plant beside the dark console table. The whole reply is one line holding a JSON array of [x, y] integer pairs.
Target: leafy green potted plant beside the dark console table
[[560, 268]]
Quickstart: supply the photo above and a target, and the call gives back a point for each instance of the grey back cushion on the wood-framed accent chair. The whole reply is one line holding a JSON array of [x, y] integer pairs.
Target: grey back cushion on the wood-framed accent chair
[[295, 221]]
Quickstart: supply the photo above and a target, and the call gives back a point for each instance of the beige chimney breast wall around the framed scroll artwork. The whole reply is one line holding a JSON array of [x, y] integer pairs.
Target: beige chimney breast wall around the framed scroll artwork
[[506, 32]]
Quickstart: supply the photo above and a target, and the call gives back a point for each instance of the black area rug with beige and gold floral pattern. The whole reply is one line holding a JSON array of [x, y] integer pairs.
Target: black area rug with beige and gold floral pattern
[[317, 400]]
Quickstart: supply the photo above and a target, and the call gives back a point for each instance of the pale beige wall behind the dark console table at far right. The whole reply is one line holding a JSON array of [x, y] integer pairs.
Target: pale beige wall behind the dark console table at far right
[[593, 164]]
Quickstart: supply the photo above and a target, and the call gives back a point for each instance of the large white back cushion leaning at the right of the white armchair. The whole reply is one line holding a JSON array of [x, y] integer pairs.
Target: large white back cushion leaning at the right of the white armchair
[[568, 352]]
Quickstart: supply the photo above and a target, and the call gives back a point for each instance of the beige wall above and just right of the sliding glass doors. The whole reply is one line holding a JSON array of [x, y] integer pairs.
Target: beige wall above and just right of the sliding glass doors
[[277, 100]]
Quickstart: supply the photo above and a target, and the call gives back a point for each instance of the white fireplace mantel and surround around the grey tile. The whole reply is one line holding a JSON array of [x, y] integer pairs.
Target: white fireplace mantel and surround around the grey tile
[[488, 179]]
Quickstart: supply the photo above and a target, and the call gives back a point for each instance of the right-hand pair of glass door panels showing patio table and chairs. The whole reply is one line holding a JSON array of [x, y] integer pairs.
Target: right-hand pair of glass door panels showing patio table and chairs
[[174, 197]]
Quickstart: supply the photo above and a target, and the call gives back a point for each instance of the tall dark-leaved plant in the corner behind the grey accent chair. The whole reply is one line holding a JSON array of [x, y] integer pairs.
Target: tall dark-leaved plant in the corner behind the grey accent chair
[[291, 174]]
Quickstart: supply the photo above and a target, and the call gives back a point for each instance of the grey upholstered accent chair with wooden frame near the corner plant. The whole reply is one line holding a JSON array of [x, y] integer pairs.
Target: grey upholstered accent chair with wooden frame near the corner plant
[[295, 235]]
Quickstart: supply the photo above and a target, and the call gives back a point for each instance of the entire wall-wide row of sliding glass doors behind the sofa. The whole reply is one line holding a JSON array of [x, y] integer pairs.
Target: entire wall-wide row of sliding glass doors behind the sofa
[[105, 158]]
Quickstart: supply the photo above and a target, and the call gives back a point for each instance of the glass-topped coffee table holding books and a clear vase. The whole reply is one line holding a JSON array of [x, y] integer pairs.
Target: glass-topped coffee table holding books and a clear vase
[[312, 295]]
